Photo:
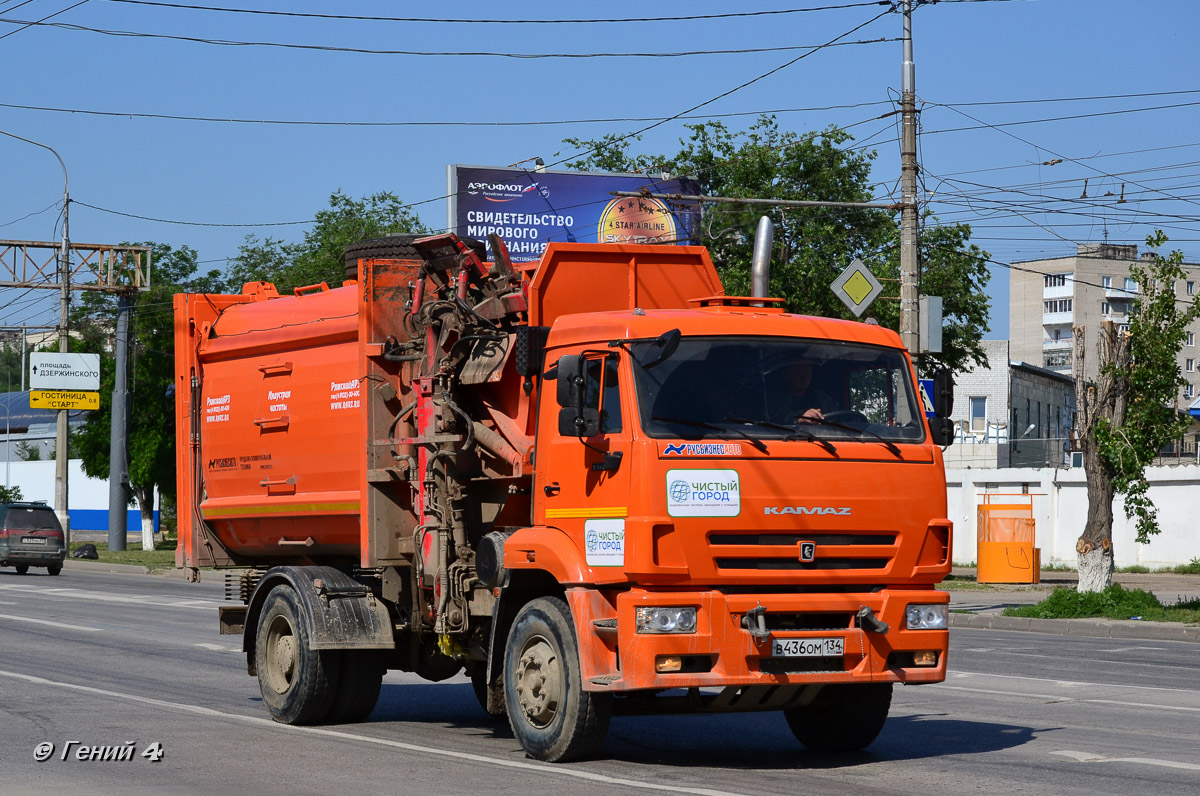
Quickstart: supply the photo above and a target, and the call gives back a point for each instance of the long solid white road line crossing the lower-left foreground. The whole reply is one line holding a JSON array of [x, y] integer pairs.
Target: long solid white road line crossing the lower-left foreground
[[554, 770]]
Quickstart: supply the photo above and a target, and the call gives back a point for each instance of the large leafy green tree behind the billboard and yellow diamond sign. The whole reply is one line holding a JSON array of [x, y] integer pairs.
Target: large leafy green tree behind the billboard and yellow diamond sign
[[813, 246]]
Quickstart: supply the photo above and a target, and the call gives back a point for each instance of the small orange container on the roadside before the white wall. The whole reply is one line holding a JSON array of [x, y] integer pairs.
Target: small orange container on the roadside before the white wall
[[1006, 537]]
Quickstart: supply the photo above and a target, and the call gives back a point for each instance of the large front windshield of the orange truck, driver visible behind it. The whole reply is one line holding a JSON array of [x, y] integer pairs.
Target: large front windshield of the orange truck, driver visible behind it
[[718, 388]]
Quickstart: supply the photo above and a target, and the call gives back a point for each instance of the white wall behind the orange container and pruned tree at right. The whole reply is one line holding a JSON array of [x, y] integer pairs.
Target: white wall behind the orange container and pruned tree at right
[[1060, 508]]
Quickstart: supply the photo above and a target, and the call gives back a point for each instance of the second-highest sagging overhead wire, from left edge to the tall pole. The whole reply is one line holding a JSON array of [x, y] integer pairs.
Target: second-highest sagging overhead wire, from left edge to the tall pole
[[364, 51]]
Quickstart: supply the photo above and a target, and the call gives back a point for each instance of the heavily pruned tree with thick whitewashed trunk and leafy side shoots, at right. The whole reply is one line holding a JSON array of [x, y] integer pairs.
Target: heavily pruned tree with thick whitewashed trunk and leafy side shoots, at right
[[1129, 412]]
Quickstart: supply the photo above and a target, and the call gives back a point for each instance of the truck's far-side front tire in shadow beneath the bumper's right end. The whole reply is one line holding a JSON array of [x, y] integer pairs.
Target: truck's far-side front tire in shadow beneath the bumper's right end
[[843, 719]]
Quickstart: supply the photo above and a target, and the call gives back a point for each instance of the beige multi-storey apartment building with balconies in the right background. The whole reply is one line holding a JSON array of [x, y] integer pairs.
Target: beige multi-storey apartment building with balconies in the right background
[[1051, 298]]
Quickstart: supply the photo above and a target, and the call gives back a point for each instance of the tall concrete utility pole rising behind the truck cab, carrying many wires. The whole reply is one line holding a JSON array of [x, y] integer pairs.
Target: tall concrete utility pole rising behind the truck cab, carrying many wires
[[909, 220]]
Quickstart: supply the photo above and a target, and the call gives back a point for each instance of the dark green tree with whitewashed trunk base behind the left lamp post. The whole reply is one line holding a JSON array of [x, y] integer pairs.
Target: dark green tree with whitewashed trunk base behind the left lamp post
[[152, 378]]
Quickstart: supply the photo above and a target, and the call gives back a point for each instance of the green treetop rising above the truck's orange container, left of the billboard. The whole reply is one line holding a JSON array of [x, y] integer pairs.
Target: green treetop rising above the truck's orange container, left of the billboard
[[320, 258]]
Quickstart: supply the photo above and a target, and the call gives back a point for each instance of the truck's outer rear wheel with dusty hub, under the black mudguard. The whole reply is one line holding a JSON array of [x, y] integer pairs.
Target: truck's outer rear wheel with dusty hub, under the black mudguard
[[297, 683]]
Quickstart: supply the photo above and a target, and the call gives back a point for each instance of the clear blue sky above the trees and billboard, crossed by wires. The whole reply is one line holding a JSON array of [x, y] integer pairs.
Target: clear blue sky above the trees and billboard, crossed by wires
[[991, 175]]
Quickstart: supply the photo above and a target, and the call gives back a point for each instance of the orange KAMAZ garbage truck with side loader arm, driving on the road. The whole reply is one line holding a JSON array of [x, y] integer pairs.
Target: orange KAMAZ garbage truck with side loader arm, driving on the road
[[595, 483]]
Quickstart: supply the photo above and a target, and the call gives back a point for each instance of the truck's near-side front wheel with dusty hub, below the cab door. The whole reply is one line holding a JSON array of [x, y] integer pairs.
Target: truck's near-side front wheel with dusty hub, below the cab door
[[551, 716]]
